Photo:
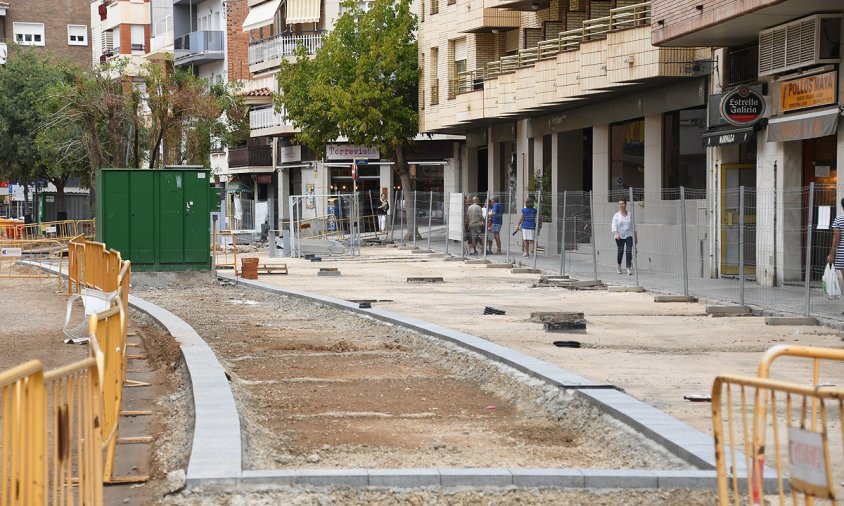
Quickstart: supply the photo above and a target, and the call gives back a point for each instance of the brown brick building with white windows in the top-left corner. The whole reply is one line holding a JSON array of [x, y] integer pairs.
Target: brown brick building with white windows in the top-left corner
[[60, 27]]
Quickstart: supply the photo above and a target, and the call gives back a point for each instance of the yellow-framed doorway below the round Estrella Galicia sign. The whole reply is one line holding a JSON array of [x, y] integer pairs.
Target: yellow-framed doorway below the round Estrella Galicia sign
[[733, 177]]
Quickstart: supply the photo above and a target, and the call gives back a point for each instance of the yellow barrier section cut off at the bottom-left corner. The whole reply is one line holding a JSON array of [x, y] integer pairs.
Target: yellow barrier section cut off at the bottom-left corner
[[23, 470]]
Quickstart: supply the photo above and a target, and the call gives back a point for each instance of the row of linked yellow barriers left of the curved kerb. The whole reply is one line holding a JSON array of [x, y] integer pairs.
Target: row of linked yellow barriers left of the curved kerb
[[60, 428]]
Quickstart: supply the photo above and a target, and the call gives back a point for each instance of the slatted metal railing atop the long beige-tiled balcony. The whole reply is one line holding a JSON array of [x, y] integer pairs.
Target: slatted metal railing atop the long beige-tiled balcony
[[621, 18]]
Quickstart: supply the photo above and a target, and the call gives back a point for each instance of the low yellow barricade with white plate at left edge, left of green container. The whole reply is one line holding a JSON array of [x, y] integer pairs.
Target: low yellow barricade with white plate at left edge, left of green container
[[13, 254]]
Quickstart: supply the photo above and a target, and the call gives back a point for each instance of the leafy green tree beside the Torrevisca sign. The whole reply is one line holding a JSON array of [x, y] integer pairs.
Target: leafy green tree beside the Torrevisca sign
[[361, 84]]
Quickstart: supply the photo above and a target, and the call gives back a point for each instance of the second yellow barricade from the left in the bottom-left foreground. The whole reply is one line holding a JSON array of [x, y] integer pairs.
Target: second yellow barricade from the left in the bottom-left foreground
[[75, 454]]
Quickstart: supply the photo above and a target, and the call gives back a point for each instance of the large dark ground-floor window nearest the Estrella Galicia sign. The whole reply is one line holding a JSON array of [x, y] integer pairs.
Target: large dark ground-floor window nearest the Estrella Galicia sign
[[683, 154]]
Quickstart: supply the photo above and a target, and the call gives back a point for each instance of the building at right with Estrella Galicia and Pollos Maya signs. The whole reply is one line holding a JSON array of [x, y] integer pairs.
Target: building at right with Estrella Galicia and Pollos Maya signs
[[786, 54]]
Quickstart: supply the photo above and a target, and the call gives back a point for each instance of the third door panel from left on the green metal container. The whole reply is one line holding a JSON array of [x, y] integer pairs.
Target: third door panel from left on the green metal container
[[171, 226]]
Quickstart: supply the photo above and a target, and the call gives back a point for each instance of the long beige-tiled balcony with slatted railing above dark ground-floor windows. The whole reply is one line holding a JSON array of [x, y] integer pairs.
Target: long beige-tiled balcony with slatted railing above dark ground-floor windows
[[605, 56]]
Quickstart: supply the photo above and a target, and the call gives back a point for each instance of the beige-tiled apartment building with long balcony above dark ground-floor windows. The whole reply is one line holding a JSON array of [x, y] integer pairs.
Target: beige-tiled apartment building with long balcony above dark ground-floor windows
[[570, 87]]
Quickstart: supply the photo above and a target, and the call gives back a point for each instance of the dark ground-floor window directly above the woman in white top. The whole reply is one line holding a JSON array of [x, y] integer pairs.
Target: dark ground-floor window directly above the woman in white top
[[627, 158]]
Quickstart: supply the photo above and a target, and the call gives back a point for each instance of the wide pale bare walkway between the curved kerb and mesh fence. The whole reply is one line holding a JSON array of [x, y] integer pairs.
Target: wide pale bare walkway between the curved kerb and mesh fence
[[655, 352]]
